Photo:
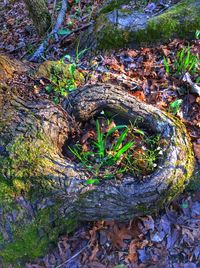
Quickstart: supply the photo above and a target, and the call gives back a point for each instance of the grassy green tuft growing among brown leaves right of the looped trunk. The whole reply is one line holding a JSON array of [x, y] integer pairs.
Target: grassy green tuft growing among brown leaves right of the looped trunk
[[185, 62]]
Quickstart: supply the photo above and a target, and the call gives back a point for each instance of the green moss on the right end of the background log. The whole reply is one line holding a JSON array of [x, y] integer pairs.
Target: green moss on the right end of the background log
[[182, 20]]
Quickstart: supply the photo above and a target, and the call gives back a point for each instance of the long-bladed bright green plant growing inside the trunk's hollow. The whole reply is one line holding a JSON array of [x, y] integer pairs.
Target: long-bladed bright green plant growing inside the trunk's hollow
[[99, 158]]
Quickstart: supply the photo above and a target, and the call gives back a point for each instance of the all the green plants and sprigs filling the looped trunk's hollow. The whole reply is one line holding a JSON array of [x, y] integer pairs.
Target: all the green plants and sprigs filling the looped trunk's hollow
[[108, 157]]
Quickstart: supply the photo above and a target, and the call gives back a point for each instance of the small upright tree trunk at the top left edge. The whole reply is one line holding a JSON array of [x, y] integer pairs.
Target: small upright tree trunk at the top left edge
[[39, 14]]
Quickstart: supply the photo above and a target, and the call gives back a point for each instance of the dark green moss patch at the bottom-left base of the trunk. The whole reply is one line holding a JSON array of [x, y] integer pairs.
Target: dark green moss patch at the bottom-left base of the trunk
[[35, 239]]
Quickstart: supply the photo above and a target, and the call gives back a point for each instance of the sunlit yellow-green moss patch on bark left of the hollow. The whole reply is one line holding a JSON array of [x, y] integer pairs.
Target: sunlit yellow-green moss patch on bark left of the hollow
[[25, 160]]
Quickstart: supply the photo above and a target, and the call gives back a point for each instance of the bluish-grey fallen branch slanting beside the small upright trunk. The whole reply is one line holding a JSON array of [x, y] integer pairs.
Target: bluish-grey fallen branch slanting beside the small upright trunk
[[61, 16]]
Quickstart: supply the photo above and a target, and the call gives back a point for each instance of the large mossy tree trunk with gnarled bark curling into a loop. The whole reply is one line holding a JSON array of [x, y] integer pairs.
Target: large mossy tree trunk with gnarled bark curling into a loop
[[42, 194]]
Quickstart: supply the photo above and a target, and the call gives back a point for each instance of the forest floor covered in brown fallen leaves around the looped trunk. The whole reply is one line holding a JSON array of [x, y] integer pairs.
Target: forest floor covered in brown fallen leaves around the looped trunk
[[169, 238]]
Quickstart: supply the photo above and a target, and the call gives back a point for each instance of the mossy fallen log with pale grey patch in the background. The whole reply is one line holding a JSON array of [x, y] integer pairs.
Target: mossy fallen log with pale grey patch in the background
[[118, 27]]
